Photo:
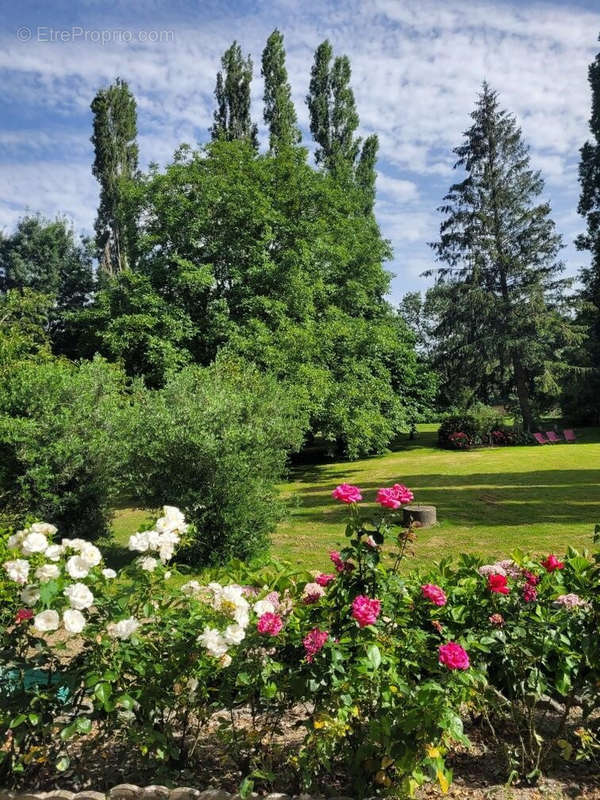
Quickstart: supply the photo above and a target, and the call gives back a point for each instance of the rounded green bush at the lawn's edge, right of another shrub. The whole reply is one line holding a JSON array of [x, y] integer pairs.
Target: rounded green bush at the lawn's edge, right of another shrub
[[214, 442]]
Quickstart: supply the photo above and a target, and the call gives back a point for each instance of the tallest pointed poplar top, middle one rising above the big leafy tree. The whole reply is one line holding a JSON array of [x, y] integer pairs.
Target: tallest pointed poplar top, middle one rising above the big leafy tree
[[279, 111]]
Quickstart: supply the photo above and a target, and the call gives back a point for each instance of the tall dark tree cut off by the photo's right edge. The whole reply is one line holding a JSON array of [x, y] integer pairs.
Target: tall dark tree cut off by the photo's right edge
[[586, 403]]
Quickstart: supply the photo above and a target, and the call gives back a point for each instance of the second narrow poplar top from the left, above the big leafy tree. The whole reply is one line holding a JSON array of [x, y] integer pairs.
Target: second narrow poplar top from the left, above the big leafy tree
[[232, 92]]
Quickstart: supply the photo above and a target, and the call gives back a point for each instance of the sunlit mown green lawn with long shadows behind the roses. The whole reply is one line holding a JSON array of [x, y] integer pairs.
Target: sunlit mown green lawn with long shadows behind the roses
[[491, 500]]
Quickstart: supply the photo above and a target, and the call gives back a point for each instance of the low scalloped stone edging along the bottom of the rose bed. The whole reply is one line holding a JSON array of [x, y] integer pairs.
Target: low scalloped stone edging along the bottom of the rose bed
[[129, 791]]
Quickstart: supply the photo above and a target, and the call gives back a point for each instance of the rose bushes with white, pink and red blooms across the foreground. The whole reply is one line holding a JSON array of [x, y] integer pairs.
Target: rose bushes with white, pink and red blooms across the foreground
[[382, 663]]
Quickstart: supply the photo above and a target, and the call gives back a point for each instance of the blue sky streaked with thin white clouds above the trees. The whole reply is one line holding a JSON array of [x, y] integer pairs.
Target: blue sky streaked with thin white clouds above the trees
[[417, 66]]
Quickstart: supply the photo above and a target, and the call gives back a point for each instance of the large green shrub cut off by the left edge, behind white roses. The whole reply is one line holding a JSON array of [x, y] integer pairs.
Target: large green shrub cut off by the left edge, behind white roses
[[59, 432]]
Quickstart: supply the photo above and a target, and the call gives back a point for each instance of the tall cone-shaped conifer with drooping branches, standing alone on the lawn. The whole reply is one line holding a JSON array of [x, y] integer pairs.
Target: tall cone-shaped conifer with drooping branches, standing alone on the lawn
[[500, 250]]
